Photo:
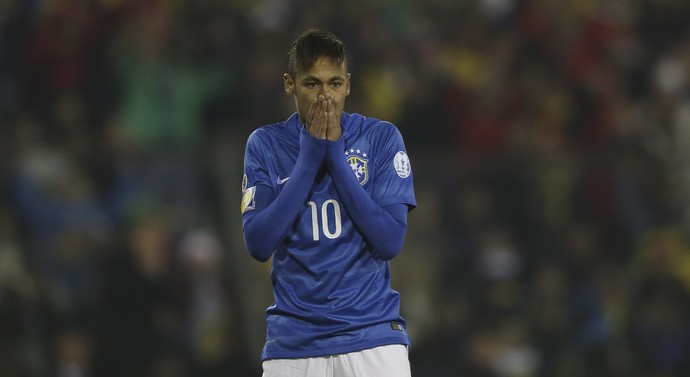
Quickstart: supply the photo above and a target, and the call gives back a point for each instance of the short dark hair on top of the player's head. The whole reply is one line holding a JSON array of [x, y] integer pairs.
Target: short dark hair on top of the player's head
[[311, 45]]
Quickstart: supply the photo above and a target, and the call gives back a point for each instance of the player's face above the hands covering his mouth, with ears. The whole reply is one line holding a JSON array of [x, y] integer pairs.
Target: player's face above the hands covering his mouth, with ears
[[325, 77]]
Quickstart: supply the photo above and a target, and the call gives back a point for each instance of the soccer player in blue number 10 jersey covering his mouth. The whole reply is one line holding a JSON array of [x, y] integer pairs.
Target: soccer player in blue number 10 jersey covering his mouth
[[326, 193]]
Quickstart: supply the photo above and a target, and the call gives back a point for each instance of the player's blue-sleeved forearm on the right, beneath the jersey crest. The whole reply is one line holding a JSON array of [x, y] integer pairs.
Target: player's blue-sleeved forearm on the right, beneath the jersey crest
[[383, 227]]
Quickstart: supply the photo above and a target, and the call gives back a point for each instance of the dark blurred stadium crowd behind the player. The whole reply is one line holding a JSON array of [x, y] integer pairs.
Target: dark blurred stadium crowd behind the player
[[550, 143]]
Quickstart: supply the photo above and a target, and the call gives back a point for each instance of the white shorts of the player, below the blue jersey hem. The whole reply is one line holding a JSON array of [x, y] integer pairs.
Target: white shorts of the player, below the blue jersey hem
[[384, 361]]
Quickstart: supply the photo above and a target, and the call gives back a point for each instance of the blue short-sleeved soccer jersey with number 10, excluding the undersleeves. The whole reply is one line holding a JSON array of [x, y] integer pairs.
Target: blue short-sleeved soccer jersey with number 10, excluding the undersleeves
[[332, 295]]
